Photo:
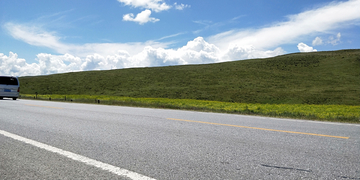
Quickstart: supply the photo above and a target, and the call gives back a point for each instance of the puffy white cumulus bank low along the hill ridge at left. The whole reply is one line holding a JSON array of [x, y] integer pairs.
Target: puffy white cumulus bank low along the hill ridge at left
[[195, 52]]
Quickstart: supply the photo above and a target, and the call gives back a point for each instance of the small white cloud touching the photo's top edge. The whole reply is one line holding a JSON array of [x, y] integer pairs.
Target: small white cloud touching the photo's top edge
[[155, 5]]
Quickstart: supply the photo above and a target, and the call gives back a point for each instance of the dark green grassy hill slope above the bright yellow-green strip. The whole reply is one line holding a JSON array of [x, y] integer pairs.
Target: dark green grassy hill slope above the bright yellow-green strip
[[300, 78]]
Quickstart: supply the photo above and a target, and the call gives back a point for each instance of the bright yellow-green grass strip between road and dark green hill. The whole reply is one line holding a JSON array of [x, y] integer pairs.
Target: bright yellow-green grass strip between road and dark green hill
[[340, 113]]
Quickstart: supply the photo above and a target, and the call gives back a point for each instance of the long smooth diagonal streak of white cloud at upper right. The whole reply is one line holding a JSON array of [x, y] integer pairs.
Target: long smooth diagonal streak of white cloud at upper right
[[319, 20]]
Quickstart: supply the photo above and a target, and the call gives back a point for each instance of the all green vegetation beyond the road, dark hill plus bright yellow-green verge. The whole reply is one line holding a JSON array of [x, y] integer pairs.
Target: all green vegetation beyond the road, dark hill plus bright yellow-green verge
[[320, 85]]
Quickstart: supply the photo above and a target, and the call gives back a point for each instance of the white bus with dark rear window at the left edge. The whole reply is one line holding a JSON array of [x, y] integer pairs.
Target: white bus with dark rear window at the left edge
[[9, 87]]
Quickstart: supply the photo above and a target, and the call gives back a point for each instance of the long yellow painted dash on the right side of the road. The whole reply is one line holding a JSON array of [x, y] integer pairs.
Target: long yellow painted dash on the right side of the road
[[264, 129]]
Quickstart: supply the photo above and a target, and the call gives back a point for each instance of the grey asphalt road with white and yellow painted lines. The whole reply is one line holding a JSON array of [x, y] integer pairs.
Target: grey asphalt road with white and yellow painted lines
[[53, 140]]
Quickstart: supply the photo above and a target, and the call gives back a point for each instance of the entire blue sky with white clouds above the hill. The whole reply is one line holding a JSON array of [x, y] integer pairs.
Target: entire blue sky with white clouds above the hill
[[40, 37]]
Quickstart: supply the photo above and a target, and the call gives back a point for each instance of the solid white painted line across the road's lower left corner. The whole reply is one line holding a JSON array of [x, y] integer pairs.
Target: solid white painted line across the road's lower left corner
[[76, 157]]
